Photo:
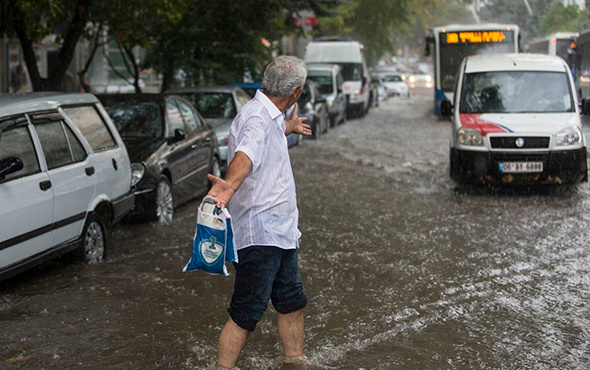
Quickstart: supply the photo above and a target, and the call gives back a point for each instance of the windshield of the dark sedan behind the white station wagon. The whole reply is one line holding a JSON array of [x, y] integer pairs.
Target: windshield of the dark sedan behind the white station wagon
[[143, 119]]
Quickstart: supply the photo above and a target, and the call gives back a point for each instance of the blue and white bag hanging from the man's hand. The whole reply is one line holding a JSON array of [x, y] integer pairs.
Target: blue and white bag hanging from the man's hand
[[213, 240]]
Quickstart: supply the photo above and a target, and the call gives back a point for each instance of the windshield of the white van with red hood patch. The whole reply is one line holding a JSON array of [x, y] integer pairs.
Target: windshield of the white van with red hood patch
[[516, 92]]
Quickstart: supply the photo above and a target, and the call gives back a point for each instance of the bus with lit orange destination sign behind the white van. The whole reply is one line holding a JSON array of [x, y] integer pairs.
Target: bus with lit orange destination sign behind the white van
[[454, 42]]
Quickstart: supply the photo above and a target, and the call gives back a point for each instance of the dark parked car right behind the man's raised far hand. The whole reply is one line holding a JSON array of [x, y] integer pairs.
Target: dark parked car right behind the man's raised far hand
[[313, 106]]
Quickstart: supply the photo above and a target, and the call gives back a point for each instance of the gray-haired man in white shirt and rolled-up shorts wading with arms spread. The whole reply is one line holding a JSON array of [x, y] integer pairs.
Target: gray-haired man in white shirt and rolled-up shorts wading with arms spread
[[259, 190]]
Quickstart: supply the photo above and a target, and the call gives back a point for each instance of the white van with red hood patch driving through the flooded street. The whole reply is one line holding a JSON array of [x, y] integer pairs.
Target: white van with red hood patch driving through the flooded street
[[516, 121]]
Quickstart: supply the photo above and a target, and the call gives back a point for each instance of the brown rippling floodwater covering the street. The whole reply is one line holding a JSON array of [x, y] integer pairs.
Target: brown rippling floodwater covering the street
[[403, 270]]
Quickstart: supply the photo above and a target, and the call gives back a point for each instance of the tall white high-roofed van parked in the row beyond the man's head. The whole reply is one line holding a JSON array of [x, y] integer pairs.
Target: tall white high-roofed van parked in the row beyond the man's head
[[350, 56]]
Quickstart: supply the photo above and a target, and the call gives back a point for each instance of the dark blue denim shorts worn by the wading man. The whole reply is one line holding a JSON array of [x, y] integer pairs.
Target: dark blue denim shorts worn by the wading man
[[265, 273]]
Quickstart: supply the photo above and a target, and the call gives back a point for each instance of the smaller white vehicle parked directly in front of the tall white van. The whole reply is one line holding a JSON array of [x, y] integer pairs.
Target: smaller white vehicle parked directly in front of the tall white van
[[329, 81]]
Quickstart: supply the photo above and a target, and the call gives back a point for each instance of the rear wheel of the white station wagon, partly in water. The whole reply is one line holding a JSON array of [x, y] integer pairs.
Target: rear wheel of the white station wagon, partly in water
[[93, 247]]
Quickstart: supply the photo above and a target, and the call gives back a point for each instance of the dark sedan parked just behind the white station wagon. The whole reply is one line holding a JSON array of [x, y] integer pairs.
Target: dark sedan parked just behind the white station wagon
[[171, 148]]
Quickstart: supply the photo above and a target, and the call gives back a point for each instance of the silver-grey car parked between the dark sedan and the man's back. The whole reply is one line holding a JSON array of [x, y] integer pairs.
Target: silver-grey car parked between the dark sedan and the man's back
[[219, 105]]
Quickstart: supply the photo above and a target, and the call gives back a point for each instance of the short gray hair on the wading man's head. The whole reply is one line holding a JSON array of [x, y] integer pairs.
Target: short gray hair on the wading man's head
[[283, 75]]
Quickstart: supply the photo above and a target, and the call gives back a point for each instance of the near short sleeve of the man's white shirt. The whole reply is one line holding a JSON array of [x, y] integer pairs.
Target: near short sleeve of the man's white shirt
[[251, 139]]
